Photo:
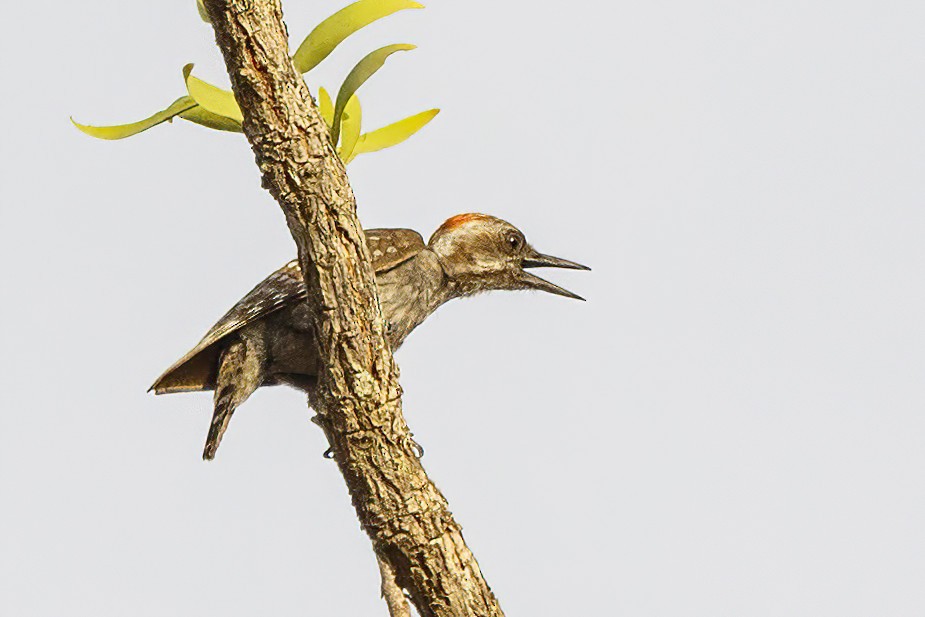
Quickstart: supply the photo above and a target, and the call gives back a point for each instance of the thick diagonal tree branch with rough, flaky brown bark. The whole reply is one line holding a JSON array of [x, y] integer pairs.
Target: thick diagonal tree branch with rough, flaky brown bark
[[358, 399]]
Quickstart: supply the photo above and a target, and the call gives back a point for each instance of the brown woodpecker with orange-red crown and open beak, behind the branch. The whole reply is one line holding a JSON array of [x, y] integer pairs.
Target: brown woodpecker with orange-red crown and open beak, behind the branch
[[267, 337]]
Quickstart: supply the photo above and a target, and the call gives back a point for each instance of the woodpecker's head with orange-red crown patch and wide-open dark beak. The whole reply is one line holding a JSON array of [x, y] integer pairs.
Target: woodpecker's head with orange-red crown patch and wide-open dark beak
[[480, 252]]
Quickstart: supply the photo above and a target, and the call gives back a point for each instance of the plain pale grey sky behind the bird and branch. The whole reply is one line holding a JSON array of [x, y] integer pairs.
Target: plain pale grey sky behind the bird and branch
[[732, 425]]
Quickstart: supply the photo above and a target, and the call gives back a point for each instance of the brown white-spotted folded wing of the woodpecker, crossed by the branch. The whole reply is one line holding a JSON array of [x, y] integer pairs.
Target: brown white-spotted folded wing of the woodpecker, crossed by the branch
[[197, 369]]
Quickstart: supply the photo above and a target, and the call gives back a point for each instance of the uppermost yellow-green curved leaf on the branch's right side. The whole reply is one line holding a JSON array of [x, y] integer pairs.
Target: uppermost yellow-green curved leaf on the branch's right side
[[319, 44]]
